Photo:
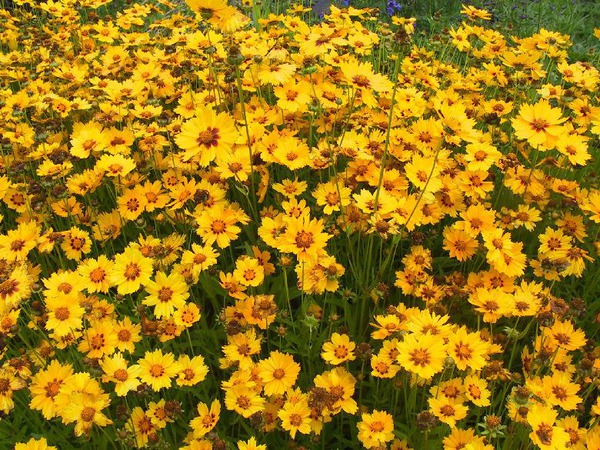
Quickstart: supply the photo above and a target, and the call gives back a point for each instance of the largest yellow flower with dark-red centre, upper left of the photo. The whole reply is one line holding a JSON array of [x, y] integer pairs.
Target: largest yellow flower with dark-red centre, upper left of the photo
[[206, 135]]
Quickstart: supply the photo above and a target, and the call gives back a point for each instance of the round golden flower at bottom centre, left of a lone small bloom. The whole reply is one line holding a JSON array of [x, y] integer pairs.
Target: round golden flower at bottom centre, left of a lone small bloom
[[278, 373]]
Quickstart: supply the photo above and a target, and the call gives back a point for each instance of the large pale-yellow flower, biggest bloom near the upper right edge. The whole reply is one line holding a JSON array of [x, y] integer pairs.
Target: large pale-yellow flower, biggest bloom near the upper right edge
[[539, 124]]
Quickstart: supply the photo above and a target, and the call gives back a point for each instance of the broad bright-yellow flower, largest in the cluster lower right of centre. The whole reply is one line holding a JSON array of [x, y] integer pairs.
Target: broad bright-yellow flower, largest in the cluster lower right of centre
[[423, 355]]
